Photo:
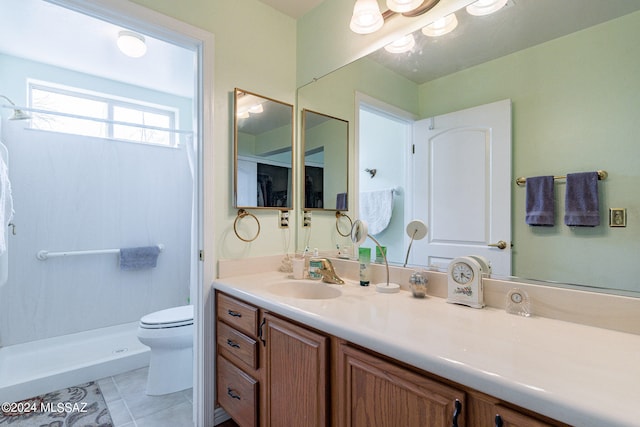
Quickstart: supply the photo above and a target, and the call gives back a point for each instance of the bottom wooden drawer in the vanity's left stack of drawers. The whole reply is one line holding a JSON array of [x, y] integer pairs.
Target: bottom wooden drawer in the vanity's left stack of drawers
[[237, 393]]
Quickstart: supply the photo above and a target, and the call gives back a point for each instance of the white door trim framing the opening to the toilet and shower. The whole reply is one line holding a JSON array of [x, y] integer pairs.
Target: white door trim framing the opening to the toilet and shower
[[141, 19]]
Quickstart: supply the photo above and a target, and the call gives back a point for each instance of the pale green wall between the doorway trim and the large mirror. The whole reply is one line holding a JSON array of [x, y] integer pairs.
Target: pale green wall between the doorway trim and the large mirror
[[255, 50]]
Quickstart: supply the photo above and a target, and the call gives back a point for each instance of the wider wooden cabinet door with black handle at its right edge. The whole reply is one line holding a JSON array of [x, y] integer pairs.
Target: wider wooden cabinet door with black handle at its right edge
[[382, 394]]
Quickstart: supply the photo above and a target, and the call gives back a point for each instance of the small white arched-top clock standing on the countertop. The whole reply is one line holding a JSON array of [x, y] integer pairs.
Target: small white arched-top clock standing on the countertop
[[464, 280]]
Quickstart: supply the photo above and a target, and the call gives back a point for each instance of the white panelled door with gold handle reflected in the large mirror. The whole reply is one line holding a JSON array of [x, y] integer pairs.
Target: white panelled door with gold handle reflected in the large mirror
[[462, 186]]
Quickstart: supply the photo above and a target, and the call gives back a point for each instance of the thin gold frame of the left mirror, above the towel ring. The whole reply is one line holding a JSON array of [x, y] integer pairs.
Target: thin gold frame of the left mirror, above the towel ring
[[292, 194]]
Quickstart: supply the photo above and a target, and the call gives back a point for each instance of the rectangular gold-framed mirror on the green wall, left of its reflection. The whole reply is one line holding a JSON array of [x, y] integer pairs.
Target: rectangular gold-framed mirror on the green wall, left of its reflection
[[263, 152]]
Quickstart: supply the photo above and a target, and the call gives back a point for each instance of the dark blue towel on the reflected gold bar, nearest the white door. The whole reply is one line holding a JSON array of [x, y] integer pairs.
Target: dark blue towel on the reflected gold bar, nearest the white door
[[540, 202]]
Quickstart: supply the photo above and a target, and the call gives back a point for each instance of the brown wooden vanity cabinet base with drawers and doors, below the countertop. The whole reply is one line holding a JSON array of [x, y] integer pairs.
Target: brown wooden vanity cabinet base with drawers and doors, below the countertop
[[275, 372]]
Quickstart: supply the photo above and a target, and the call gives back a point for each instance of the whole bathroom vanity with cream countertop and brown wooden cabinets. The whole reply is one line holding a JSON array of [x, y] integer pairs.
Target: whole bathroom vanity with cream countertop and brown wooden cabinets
[[350, 358]]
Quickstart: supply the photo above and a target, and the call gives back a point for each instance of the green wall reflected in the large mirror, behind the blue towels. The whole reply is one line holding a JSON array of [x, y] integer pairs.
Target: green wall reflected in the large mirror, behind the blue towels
[[575, 108]]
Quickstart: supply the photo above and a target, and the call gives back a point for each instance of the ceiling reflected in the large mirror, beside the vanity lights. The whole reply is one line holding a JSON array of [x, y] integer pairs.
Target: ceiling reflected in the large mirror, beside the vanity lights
[[519, 25]]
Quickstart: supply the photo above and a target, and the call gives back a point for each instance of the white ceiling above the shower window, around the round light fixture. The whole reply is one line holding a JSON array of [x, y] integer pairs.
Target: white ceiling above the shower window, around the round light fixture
[[43, 32]]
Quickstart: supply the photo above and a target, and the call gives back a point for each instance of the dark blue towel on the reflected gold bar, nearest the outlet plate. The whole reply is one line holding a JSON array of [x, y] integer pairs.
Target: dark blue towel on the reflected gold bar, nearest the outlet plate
[[582, 206]]
